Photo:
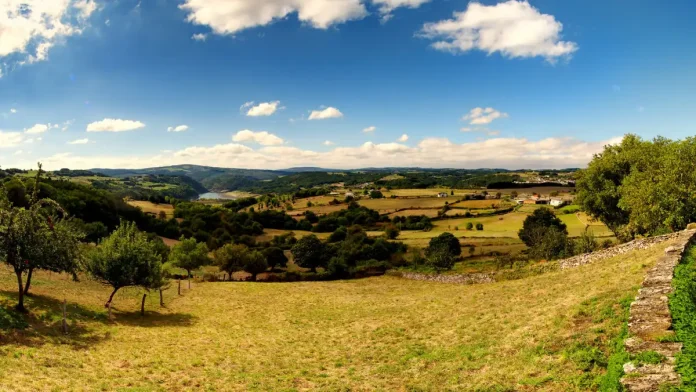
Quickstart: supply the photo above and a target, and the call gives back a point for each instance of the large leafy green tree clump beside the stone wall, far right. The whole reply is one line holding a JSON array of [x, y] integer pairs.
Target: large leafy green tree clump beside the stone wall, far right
[[641, 187]]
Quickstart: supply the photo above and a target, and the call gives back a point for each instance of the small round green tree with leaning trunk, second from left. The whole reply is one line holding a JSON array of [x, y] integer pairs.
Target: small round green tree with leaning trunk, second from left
[[126, 258]]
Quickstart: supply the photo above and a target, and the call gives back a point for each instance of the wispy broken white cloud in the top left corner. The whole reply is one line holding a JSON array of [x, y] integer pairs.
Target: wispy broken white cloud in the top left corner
[[30, 28]]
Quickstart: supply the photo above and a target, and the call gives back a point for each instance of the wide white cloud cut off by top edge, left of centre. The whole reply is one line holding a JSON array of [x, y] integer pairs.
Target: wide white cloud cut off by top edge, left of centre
[[229, 17]]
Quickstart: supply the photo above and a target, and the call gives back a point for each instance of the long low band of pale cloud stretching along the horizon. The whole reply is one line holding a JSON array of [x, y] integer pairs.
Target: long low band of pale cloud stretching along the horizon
[[512, 153]]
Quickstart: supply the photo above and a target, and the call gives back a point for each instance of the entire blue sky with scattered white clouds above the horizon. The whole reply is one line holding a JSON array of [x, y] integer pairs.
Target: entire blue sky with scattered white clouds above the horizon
[[96, 83]]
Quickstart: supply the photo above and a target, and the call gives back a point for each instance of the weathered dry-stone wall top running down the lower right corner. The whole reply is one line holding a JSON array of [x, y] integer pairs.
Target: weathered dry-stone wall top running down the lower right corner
[[650, 322]]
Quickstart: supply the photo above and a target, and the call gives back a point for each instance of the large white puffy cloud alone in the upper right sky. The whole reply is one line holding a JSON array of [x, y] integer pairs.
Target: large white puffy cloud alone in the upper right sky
[[514, 28]]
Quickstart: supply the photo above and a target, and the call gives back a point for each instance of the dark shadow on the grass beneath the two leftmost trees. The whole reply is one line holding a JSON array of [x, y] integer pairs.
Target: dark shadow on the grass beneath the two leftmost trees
[[43, 322]]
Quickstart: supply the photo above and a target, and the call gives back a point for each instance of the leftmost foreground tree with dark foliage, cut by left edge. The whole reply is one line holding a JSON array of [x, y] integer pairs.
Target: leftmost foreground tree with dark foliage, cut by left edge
[[33, 237]]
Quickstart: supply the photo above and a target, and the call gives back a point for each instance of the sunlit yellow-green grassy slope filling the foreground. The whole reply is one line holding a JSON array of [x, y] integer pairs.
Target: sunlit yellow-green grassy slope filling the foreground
[[545, 333]]
